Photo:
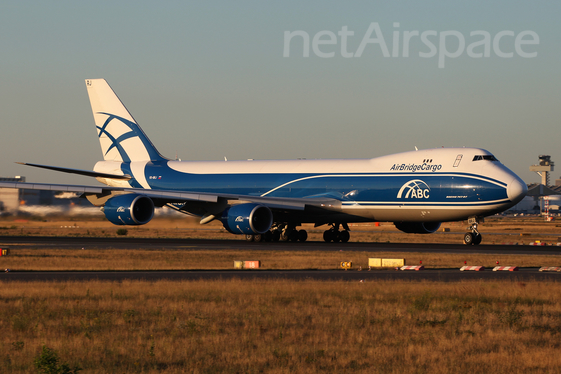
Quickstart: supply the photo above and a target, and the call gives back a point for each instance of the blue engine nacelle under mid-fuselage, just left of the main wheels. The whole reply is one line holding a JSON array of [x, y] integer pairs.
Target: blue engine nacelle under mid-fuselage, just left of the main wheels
[[247, 219]]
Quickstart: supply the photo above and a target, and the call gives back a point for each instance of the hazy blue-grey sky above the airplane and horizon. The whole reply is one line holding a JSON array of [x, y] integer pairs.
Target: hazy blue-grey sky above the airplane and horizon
[[208, 80]]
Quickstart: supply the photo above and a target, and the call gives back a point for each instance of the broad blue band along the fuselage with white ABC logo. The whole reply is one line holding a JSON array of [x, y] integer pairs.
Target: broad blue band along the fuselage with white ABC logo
[[446, 189]]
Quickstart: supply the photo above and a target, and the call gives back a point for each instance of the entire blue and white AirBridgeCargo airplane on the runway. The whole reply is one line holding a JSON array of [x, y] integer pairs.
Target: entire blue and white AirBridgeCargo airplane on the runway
[[269, 200]]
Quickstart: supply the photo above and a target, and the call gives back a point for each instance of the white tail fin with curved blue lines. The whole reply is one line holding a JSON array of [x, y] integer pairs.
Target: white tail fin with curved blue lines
[[120, 136]]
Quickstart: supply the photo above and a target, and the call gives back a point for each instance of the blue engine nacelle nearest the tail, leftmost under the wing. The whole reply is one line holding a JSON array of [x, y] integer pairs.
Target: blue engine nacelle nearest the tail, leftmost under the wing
[[130, 209]]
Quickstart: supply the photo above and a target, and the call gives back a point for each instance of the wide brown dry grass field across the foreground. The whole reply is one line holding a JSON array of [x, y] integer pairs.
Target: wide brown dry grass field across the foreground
[[284, 326]]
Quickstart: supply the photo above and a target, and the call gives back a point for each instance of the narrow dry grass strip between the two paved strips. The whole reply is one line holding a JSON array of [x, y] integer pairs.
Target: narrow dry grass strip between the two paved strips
[[139, 259]]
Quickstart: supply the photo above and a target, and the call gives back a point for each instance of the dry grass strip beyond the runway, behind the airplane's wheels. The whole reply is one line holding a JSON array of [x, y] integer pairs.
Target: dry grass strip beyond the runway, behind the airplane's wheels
[[496, 230]]
